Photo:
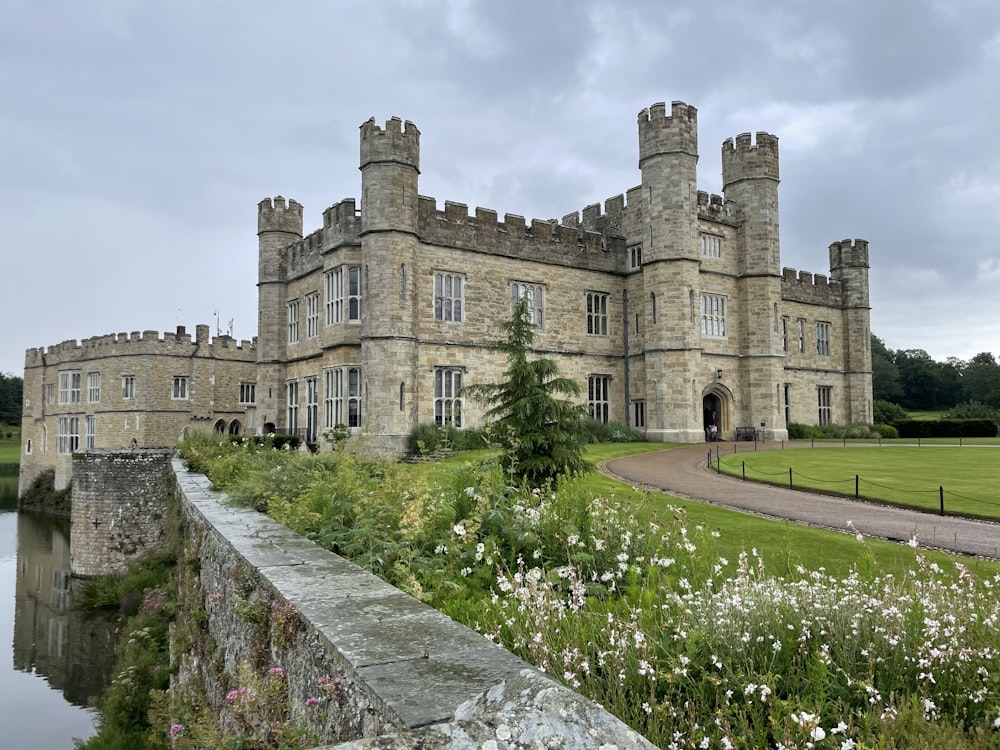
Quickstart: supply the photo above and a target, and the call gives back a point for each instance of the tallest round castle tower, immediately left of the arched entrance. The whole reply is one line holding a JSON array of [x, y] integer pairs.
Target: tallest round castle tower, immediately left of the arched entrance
[[668, 159]]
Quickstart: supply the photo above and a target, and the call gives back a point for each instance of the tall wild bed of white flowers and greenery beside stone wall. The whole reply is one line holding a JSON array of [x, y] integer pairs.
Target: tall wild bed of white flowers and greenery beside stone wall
[[648, 613]]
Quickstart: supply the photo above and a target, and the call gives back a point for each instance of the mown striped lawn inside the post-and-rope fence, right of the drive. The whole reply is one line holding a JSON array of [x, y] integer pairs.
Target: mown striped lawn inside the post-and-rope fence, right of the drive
[[906, 475]]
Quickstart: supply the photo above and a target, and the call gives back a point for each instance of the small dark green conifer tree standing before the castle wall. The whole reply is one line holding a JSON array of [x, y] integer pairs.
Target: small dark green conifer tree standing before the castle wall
[[540, 433]]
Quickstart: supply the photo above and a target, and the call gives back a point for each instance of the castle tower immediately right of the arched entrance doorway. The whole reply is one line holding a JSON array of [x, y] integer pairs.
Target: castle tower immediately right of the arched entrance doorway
[[750, 179]]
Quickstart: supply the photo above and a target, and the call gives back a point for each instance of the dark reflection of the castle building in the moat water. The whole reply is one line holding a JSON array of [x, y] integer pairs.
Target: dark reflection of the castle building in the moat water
[[74, 652]]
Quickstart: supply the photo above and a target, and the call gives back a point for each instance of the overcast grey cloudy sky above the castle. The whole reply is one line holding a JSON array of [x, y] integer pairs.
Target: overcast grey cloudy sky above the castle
[[136, 138]]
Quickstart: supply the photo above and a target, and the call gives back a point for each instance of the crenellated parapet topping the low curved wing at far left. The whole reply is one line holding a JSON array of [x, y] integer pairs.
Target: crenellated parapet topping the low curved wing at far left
[[170, 343]]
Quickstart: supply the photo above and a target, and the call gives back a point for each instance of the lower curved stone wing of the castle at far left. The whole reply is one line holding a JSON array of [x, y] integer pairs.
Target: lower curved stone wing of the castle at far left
[[131, 390]]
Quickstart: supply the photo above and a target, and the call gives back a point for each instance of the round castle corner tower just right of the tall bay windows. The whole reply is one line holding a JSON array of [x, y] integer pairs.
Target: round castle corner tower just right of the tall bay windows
[[390, 167]]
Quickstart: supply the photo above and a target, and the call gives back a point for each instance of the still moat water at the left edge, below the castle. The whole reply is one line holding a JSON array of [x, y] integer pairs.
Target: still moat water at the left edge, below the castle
[[59, 656]]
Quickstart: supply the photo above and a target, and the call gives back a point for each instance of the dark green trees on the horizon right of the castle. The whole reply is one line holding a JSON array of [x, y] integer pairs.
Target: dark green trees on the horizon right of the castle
[[915, 381]]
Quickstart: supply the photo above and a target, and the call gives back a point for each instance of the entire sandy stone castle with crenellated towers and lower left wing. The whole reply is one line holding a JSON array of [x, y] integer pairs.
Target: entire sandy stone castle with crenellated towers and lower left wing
[[669, 306]]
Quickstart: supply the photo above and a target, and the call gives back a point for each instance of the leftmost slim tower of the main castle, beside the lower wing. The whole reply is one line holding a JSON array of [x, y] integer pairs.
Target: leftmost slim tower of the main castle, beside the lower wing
[[279, 224]]
